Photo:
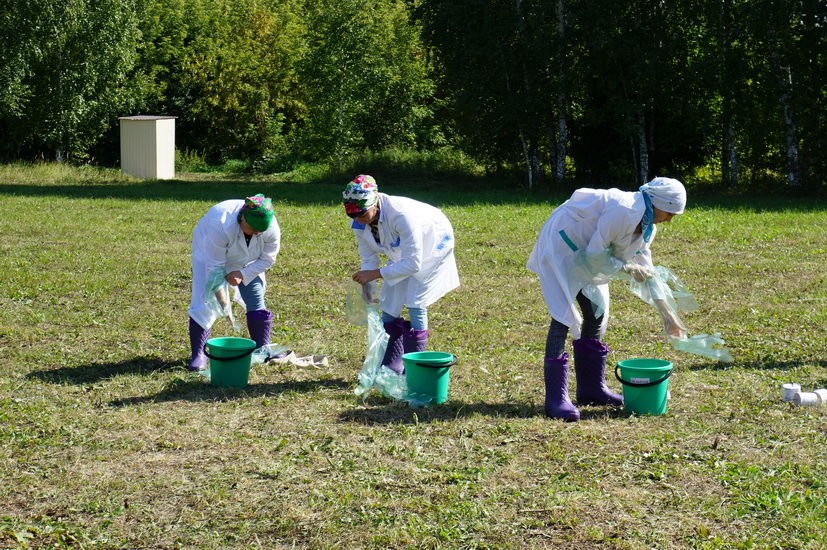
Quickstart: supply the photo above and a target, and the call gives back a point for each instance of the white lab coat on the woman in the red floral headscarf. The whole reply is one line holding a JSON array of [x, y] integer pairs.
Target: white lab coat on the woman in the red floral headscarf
[[418, 241]]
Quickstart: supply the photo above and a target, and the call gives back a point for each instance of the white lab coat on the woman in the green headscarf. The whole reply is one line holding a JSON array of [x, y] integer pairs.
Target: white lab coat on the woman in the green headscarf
[[218, 243]]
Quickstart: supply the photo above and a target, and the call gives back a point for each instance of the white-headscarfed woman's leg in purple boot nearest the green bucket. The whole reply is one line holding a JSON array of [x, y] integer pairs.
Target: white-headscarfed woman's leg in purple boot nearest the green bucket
[[590, 360]]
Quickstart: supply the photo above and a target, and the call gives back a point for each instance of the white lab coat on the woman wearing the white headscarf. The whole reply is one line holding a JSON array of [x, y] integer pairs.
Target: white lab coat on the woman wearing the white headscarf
[[593, 220]]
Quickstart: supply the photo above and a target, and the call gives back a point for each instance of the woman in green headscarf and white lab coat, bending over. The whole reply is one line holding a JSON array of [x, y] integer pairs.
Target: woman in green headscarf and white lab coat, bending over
[[240, 239]]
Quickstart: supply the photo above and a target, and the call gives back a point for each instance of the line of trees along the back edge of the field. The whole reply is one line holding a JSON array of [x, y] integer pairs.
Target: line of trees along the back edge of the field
[[595, 90]]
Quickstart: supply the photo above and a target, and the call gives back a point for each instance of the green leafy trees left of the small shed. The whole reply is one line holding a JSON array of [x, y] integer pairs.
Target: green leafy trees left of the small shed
[[66, 73]]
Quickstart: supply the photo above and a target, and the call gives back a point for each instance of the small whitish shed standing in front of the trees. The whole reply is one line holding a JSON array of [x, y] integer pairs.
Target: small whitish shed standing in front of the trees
[[148, 146]]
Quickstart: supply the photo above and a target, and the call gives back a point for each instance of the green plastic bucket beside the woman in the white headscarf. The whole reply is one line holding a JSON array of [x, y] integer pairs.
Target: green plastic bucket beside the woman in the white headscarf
[[645, 384]]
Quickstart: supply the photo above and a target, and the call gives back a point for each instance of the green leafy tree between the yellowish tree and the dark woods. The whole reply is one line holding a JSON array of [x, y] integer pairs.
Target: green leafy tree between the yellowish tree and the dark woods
[[365, 78]]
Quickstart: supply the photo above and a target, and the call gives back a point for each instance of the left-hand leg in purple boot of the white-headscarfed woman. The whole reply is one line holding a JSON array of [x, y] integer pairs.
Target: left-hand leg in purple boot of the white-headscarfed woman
[[556, 375]]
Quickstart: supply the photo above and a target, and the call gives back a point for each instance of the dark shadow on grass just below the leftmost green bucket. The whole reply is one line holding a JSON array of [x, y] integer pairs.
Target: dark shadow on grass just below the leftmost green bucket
[[201, 390]]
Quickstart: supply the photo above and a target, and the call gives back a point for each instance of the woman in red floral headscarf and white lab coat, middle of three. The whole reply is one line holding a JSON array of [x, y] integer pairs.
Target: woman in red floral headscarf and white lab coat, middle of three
[[418, 241]]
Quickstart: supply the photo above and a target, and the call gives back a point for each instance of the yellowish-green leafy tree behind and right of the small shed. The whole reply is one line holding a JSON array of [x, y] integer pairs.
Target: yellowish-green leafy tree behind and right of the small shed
[[226, 69]]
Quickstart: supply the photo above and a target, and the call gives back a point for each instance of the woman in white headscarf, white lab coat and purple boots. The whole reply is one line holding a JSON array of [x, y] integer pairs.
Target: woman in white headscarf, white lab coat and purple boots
[[595, 233]]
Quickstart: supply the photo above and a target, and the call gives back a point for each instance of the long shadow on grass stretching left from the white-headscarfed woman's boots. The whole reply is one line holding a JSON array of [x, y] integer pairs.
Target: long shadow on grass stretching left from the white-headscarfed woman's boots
[[394, 412]]
